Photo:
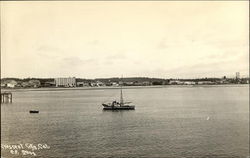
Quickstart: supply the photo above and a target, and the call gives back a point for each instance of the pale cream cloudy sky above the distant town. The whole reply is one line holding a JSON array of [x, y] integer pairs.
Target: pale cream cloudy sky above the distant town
[[163, 39]]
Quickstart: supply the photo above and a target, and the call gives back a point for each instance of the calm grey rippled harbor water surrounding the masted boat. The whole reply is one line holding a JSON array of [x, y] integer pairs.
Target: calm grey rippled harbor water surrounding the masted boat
[[201, 121]]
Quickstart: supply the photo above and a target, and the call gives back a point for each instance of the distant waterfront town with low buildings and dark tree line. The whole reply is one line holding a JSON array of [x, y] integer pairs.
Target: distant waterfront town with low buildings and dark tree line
[[101, 82]]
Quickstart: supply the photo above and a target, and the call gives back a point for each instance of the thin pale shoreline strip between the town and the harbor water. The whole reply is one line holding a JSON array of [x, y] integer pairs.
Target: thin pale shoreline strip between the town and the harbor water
[[107, 87]]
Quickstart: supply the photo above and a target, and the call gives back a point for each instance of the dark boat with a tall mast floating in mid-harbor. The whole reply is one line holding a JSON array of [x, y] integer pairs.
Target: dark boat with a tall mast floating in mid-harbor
[[114, 105]]
